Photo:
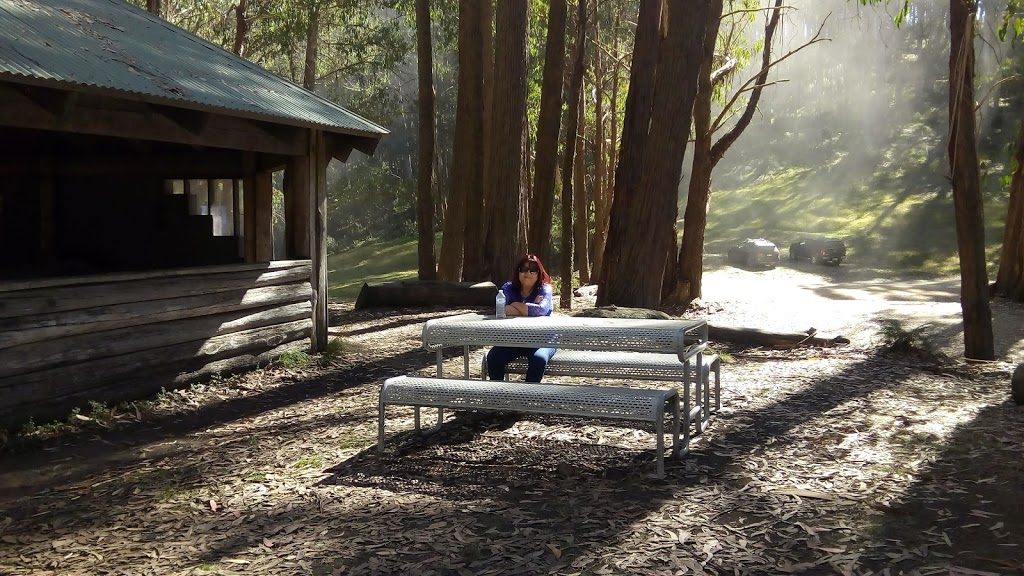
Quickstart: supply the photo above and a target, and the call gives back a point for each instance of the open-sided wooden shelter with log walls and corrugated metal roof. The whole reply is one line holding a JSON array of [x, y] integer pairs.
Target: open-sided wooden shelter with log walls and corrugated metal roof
[[137, 208]]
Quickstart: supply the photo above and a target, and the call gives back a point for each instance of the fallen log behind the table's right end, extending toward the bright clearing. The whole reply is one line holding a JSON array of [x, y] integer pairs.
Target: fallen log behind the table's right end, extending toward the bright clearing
[[749, 337]]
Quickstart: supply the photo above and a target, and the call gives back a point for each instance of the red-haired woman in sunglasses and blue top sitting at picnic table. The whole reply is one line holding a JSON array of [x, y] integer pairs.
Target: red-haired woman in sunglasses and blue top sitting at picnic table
[[529, 294]]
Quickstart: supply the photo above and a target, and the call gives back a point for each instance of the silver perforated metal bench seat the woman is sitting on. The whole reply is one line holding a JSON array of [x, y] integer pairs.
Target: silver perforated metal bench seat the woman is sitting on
[[631, 365]]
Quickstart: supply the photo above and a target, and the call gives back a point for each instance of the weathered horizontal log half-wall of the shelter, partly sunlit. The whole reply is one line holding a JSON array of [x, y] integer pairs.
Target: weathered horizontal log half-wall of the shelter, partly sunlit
[[113, 338]]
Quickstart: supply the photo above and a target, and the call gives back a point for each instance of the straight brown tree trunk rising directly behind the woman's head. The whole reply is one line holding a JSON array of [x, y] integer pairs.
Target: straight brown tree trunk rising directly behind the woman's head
[[543, 201]]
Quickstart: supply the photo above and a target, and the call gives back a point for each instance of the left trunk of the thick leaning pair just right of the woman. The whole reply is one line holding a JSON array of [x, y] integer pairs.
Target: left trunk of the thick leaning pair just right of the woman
[[614, 286]]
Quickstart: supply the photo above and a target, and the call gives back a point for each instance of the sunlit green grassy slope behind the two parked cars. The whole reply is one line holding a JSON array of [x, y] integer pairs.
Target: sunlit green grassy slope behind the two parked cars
[[895, 220]]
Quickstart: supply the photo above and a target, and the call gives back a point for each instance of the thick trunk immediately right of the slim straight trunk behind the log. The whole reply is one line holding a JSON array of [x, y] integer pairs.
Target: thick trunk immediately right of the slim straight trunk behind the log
[[467, 157]]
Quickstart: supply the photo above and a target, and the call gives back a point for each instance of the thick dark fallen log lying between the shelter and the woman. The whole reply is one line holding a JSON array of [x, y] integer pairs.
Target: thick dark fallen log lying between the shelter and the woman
[[426, 294]]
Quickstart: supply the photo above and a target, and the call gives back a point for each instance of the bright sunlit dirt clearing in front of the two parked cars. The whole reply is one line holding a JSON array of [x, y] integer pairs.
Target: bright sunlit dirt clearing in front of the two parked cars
[[845, 301]]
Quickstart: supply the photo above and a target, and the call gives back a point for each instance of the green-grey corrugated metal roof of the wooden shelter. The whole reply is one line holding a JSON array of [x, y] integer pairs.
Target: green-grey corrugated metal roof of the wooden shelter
[[112, 46]]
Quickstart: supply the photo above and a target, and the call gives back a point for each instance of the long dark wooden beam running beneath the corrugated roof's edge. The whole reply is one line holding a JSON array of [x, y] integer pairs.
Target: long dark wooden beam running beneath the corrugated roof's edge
[[37, 108]]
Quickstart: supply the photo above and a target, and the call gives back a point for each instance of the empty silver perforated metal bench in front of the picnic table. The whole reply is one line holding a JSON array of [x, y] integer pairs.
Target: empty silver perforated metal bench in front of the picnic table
[[568, 400]]
